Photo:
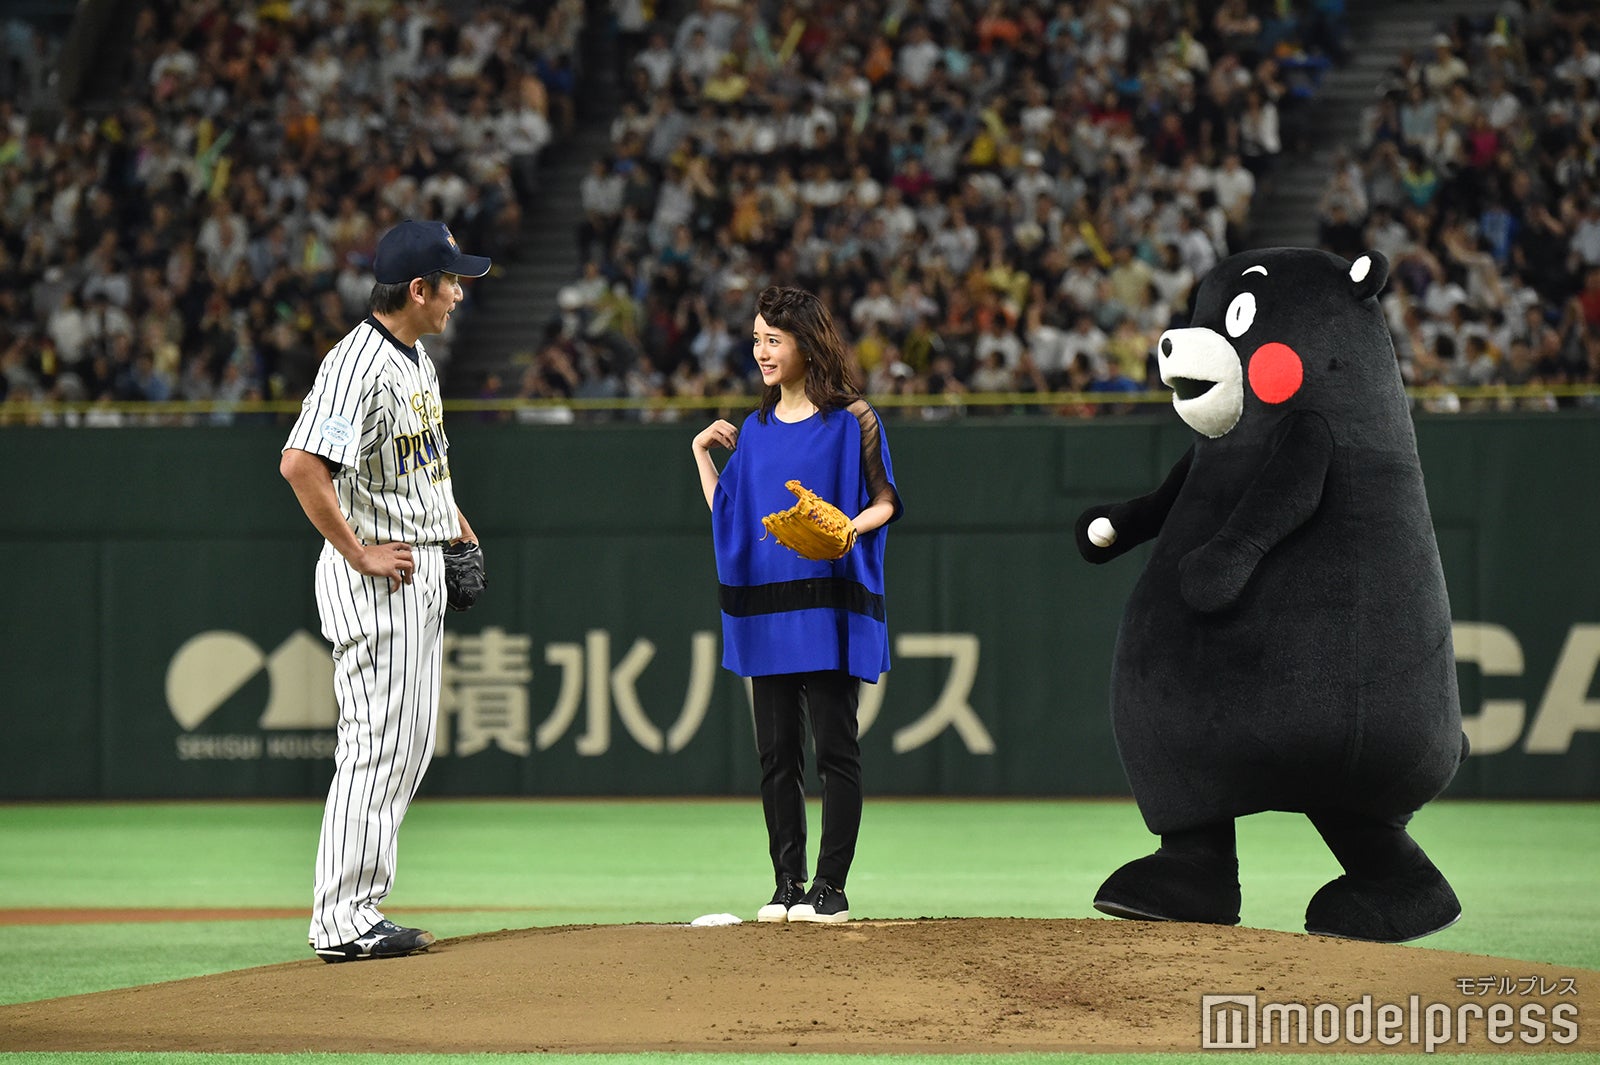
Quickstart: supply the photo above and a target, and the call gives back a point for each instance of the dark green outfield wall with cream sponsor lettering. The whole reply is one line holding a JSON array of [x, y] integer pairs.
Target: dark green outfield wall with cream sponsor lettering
[[162, 637]]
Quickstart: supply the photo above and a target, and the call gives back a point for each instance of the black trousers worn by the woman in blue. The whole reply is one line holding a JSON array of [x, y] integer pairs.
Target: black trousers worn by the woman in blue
[[831, 700]]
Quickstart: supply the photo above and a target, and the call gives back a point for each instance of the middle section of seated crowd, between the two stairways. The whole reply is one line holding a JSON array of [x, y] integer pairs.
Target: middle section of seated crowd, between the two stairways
[[991, 197]]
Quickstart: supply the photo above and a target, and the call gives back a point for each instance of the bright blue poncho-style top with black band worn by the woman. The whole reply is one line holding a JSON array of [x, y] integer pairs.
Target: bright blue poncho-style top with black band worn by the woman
[[783, 613]]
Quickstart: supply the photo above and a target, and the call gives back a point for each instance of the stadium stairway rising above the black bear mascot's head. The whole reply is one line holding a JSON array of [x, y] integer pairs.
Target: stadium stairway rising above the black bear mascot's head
[[1287, 213]]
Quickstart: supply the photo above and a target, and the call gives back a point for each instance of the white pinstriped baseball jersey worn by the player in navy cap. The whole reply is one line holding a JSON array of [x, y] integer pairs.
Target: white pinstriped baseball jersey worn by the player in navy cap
[[375, 412]]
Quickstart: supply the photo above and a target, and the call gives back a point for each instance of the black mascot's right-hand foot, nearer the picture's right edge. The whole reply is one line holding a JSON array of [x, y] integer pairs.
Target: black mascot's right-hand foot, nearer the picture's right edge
[[1385, 911]]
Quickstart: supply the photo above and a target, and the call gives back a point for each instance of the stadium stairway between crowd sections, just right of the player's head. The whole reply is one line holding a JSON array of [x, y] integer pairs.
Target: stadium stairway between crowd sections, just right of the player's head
[[508, 325]]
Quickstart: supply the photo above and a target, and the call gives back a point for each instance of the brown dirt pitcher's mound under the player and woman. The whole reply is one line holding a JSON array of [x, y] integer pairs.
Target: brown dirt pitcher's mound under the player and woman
[[932, 986]]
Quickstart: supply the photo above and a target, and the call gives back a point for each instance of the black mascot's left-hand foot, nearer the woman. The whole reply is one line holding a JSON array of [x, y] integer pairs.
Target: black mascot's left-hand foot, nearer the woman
[[1169, 887]]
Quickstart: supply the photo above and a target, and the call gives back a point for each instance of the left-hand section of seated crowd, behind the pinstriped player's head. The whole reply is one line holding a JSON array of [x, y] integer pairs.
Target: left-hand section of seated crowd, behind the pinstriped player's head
[[212, 237]]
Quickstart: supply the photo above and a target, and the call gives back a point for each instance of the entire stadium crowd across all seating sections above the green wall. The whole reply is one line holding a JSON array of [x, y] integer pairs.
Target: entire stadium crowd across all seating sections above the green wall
[[993, 197]]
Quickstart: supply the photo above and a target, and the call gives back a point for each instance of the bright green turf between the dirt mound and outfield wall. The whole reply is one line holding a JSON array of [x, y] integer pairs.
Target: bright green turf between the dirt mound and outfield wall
[[1522, 871]]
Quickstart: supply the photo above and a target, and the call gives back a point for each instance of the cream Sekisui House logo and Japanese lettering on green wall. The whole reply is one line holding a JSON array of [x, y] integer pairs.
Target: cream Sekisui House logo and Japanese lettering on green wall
[[486, 695]]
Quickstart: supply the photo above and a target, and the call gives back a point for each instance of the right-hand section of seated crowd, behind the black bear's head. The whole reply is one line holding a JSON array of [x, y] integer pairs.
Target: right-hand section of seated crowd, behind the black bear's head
[[1479, 177]]
